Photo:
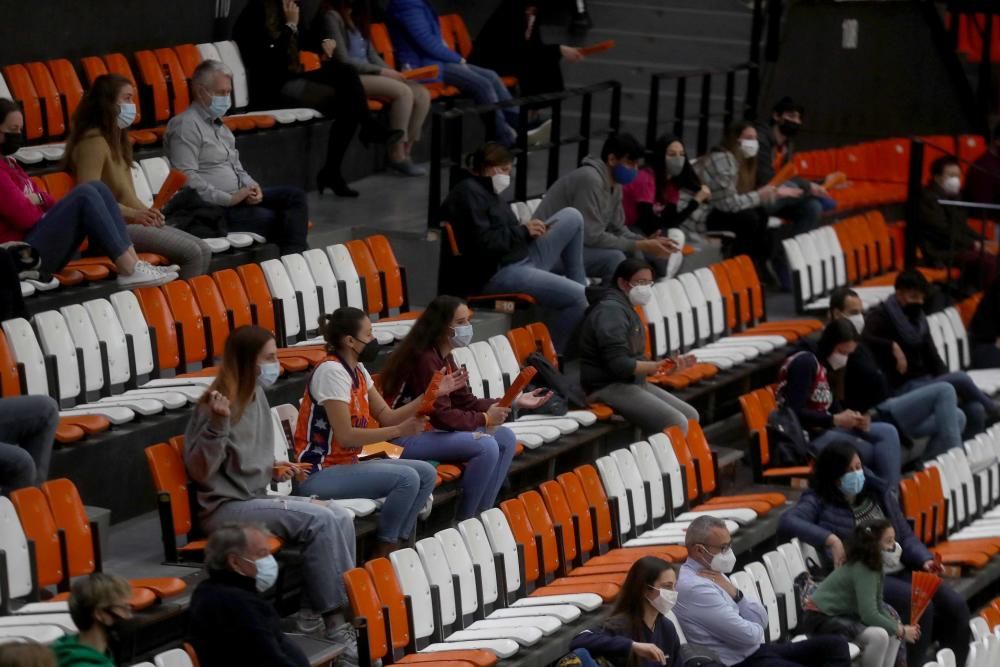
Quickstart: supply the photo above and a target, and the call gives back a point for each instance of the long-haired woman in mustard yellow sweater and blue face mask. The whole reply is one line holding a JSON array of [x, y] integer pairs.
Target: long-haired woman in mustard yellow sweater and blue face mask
[[98, 149]]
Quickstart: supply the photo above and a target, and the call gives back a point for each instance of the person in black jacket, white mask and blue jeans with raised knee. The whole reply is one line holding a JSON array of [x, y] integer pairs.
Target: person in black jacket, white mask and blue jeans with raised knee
[[502, 255]]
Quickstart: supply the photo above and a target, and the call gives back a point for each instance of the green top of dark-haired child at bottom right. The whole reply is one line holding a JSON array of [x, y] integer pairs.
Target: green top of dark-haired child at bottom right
[[855, 591]]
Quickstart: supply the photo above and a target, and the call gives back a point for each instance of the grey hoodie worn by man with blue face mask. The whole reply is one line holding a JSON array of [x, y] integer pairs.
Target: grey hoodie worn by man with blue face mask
[[589, 189]]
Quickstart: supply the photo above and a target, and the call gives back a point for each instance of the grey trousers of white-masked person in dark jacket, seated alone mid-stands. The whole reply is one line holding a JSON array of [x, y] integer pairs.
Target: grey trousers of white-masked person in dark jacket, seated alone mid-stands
[[645, 405]]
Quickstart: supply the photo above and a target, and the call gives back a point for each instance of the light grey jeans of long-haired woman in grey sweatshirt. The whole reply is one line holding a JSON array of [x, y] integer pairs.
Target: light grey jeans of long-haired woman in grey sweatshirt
[[324, 533]]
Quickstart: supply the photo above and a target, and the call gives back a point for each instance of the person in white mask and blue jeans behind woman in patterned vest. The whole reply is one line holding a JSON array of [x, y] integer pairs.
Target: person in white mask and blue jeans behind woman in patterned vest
[[930, 411]]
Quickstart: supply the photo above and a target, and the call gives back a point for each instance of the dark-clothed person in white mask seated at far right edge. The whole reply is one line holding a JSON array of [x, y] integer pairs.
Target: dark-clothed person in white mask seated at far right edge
[[944, 233]]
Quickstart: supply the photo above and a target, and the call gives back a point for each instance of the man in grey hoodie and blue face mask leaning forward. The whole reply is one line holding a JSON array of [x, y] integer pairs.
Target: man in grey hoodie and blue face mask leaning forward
[[595, 190]]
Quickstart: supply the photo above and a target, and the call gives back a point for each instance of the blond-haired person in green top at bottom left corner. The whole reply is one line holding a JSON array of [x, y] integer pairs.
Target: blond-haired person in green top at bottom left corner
[[97, 604]]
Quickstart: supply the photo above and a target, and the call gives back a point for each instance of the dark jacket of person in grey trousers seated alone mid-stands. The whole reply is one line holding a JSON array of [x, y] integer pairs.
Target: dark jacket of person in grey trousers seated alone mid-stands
[[612, 339]]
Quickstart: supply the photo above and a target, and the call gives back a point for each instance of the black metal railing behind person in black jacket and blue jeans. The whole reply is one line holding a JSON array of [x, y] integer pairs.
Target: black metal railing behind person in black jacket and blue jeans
[[447, 137]]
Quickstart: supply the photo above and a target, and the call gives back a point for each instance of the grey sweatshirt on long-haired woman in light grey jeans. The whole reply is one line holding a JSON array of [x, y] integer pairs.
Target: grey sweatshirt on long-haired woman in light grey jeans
[[234, 461]]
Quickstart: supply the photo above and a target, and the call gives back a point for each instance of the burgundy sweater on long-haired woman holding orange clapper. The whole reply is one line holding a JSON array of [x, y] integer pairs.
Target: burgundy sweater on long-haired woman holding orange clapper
[[459, 411]]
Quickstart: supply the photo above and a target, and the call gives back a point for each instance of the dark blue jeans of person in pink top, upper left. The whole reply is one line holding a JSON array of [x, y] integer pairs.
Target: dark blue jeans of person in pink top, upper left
[[89, 211]]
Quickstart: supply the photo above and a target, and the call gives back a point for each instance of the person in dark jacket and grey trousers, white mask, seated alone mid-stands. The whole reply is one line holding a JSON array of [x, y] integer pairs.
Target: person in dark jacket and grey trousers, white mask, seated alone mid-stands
[[613, 365]]
